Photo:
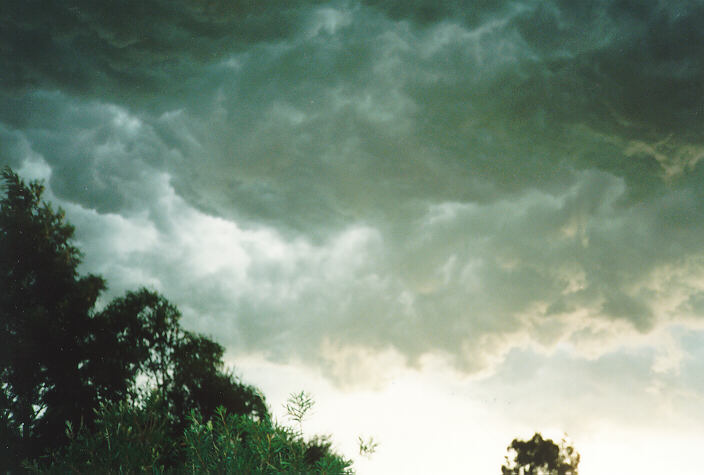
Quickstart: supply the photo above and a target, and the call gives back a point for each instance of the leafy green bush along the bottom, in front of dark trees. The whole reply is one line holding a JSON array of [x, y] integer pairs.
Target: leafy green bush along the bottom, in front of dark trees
[[135, 437]]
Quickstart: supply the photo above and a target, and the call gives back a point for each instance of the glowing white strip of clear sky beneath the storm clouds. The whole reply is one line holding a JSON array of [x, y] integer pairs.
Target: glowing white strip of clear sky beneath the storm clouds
[[459, 434]]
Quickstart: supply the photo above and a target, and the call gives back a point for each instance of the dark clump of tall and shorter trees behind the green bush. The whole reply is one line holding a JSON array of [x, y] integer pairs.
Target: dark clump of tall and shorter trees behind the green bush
[[60, 358]]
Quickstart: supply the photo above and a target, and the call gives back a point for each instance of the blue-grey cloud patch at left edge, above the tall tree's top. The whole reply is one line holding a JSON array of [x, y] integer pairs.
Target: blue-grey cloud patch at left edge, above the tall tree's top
[[98, 152]]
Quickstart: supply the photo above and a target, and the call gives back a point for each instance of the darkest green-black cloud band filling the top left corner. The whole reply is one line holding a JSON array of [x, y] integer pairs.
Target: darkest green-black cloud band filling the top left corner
[[129, 51]]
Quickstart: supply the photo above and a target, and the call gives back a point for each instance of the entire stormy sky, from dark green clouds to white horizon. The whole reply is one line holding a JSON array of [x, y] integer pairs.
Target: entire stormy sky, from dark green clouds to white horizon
[[453, 223]]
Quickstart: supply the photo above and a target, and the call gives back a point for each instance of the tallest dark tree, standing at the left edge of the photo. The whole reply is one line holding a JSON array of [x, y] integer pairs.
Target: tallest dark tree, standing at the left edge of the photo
[[45, 322]]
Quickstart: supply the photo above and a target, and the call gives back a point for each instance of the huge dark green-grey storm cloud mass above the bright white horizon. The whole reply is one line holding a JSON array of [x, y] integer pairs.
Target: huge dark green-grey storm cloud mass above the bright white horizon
[[516, 162]]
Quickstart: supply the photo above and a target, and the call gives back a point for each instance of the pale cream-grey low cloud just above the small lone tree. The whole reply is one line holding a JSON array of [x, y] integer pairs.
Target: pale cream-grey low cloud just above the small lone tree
[[603, 387]]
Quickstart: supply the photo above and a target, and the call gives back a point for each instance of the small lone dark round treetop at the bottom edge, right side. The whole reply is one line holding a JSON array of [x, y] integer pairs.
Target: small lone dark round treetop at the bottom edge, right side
[[538, 456]]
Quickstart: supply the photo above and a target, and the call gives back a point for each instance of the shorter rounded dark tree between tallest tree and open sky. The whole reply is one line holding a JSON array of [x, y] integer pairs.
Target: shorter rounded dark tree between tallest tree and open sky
[[185, 368]]
